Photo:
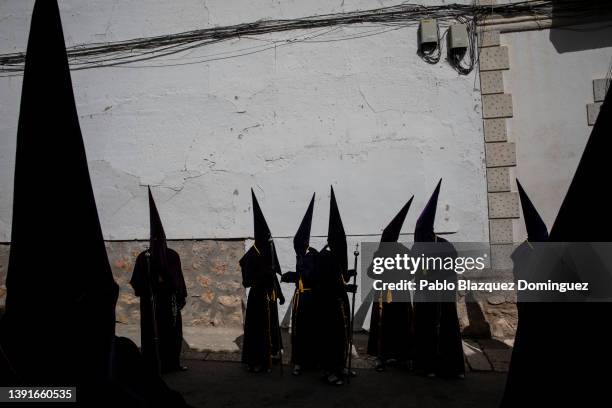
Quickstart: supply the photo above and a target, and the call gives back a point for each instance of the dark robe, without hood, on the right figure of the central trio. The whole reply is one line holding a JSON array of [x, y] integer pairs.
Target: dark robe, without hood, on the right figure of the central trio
[[334, 312]]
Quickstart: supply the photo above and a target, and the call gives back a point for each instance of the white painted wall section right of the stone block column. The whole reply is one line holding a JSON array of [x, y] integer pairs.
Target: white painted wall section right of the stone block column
[[550, 78]]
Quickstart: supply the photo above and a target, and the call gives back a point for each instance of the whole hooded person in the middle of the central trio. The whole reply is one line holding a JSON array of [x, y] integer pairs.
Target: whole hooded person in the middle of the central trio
[[305, 328]]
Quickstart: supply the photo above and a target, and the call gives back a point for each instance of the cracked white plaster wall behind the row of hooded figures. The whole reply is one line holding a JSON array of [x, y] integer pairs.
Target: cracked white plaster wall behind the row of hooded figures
[[366, 115]]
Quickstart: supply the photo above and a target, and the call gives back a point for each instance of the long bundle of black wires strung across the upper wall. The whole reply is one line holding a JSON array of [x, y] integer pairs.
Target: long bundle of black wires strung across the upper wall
[[134, 51]]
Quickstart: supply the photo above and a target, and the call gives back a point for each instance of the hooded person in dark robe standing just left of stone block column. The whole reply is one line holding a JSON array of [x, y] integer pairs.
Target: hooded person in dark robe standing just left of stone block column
[[438, 345]]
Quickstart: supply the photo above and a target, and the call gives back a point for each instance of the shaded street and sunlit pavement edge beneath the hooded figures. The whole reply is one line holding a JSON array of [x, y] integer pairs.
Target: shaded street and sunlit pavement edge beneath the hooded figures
[[216, 378]]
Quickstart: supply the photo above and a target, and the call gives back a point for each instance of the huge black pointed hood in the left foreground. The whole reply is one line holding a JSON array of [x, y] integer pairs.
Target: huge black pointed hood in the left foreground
[[59, 282]]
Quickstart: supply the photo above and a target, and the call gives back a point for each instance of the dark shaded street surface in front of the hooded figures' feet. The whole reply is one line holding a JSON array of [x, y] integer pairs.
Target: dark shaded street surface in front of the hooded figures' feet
[[227, 384]]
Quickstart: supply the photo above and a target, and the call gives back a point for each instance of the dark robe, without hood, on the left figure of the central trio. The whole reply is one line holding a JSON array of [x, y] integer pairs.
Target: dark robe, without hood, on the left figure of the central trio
[[261, 327]]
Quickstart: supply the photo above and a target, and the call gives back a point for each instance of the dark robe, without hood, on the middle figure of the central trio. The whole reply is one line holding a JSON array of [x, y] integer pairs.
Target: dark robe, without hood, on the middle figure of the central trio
[[304, 318]]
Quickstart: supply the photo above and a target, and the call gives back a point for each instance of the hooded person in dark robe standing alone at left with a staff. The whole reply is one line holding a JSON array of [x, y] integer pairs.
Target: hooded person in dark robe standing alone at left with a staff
[[159, 283]]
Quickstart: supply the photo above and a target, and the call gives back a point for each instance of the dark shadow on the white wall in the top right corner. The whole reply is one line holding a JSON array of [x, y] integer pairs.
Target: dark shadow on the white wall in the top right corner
[[581, 37]]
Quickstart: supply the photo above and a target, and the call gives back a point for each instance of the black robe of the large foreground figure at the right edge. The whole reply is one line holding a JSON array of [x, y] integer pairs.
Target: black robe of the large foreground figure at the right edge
[[556, 361]]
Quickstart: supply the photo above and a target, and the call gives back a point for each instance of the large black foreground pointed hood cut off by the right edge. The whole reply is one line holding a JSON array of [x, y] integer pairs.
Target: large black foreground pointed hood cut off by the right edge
[[582, 217]]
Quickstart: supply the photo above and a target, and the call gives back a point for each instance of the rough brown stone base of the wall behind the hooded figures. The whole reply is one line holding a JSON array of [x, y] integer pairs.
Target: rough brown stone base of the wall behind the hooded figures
[[217, 298]]
